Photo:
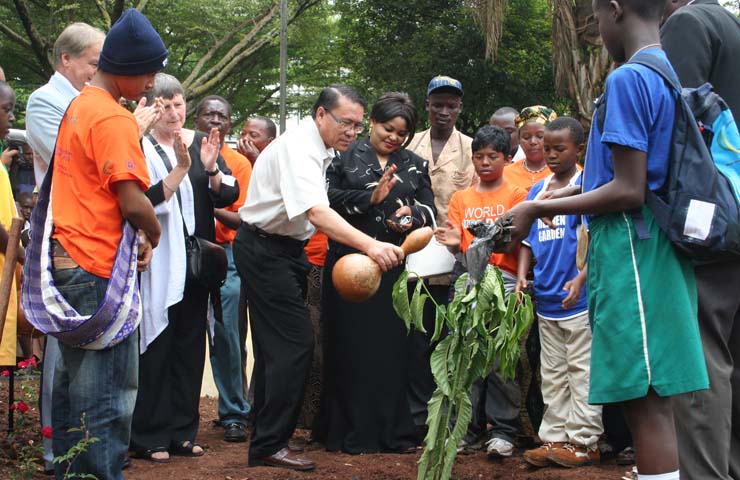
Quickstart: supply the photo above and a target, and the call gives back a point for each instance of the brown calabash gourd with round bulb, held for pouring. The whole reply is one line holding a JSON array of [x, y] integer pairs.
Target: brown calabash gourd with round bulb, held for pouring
[[357, 277]]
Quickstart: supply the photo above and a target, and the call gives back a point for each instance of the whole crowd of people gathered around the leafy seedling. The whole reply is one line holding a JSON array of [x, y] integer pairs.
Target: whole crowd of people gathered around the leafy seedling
[[127, 202]]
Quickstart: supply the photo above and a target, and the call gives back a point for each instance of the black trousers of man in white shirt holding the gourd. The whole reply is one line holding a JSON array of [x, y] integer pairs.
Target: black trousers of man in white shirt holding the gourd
[[274, 271]]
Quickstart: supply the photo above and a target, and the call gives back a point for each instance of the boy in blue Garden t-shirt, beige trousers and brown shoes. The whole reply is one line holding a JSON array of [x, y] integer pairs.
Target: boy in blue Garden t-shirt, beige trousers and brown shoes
[[570, 426]]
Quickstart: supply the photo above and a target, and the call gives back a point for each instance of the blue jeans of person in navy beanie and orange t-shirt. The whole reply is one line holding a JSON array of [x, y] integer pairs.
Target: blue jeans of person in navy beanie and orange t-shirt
[[99, 384]]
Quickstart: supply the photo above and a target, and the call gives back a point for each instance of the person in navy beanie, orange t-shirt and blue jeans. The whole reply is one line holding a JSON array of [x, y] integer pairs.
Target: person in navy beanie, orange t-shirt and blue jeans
[[99, 178]]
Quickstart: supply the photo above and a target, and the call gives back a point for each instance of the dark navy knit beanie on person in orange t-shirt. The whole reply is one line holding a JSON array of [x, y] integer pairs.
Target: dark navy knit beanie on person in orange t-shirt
[[132, 47]]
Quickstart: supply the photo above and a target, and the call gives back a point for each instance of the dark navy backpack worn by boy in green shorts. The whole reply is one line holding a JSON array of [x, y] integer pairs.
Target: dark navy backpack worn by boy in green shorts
[[698, 206]]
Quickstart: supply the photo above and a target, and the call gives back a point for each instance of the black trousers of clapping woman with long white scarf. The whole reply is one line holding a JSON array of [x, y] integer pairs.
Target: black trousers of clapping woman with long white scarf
[[170, 376]]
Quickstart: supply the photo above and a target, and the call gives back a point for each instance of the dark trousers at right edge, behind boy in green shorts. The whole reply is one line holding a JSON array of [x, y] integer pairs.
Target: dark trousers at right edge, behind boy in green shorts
[[708, 421]]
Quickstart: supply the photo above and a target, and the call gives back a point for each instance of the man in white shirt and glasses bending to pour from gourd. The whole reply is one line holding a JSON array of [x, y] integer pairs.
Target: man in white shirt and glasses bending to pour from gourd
[[286, 203]]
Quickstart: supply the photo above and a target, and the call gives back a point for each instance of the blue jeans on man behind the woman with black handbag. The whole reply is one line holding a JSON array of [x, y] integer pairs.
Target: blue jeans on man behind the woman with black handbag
[[226, 356]]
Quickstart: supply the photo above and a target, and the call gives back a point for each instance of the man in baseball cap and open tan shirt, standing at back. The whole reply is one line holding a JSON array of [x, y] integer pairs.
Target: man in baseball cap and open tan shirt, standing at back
[[451, 169]]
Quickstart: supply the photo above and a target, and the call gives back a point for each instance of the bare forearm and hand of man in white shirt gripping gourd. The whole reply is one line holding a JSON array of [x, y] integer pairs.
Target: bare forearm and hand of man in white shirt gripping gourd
[[335, 227]]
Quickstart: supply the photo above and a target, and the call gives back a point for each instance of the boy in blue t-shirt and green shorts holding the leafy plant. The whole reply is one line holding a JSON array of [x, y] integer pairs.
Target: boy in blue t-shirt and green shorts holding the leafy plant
[[642, 294]]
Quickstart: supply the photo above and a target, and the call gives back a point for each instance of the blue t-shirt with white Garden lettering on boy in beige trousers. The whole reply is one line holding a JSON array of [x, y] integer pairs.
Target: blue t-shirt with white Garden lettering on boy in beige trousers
[[555, 251]]
